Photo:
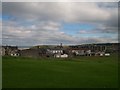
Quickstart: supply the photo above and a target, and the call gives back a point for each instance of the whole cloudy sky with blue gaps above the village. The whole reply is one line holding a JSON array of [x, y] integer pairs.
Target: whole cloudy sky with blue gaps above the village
[[28, 23]]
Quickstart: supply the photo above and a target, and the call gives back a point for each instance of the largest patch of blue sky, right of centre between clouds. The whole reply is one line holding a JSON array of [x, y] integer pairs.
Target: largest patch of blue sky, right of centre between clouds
[[74, 28]]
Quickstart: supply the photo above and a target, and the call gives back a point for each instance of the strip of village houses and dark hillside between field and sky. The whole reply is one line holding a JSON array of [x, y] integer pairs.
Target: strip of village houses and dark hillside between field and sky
[[61, 51]]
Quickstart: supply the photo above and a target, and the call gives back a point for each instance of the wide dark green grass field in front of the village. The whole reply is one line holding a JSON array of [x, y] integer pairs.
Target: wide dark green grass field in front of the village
[[79, 72]]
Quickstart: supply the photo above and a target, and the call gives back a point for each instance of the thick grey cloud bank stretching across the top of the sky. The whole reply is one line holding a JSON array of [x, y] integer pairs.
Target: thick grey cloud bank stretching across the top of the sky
[[69, 12]]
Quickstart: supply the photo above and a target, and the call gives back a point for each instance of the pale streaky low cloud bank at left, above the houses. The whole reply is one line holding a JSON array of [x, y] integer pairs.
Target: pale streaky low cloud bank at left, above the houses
[[13, 33]]
